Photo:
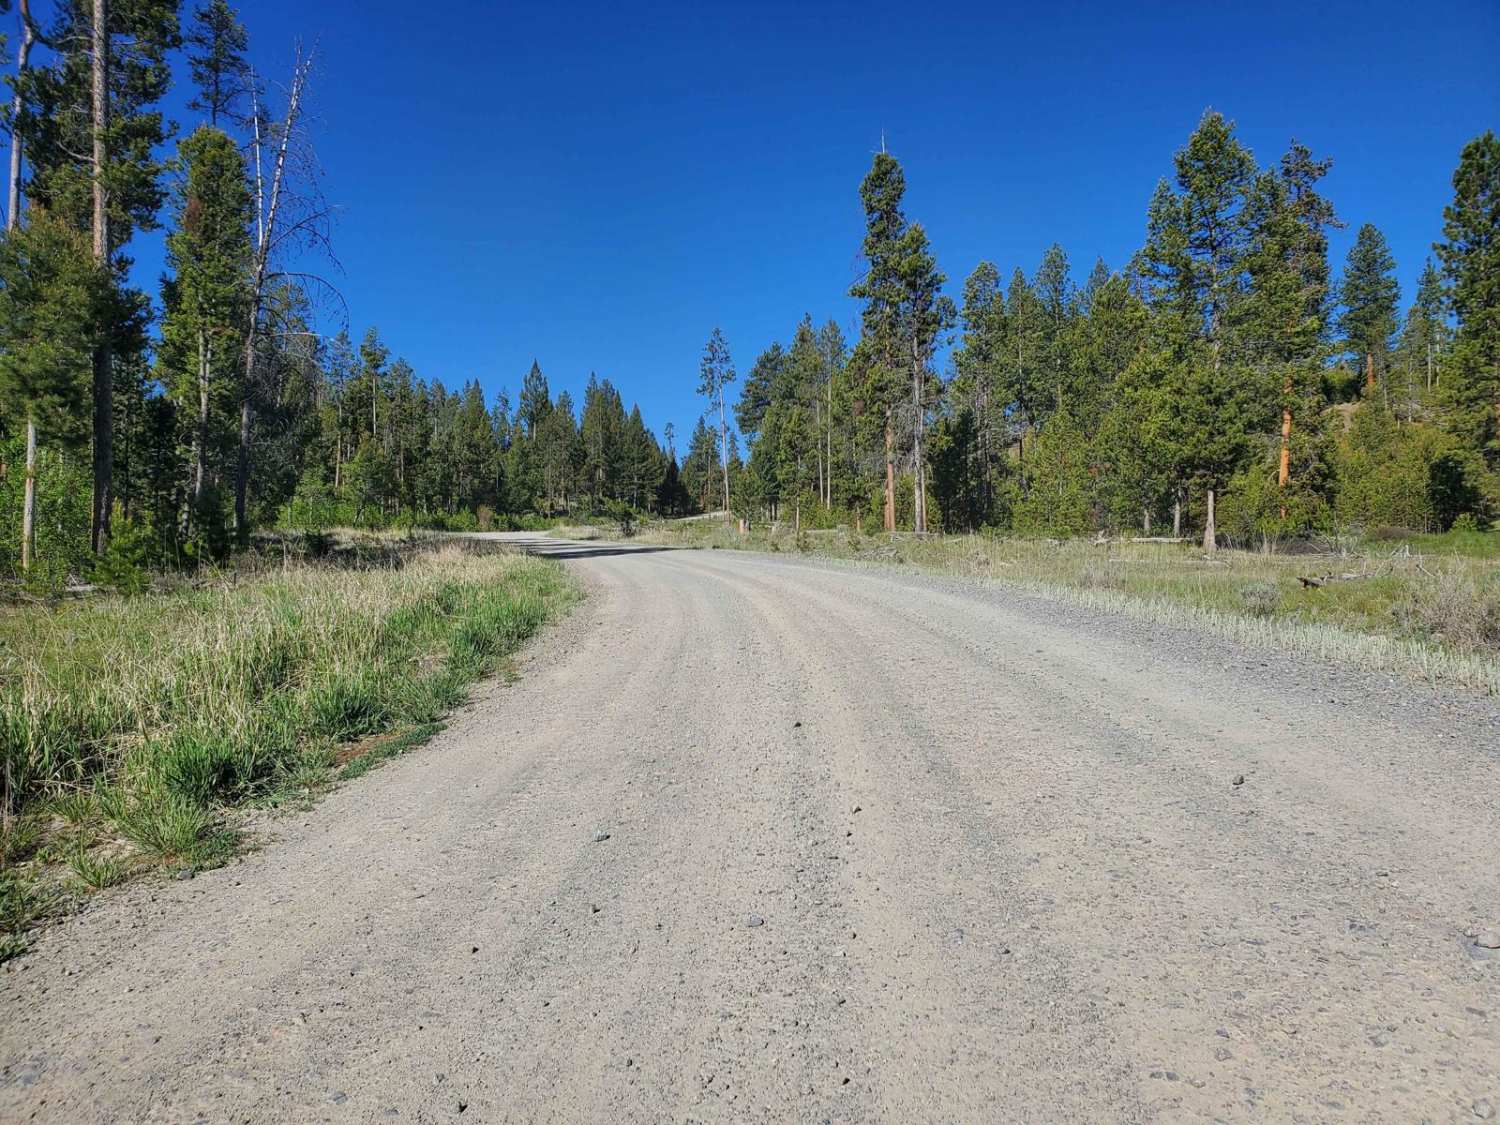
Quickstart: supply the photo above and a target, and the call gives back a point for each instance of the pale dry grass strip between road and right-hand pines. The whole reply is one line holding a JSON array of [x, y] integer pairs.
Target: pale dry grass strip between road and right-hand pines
[[1427, 607]]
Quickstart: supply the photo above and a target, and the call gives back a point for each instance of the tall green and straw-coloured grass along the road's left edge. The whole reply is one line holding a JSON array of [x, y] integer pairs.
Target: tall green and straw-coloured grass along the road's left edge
[[133, 728]]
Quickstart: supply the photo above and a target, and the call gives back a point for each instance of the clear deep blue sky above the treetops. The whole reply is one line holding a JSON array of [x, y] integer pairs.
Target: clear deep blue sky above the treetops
[[598, 185]]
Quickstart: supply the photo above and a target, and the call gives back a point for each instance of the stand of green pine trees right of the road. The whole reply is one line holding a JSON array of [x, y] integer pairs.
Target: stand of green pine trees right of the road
[[1223, 383]]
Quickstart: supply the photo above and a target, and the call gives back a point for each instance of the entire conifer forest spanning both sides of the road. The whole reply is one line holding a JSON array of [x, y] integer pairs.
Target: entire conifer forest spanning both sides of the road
[[1225, 382]]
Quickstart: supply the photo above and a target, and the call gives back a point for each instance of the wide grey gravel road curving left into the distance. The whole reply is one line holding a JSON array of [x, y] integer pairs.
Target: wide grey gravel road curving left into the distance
[[755, 838]]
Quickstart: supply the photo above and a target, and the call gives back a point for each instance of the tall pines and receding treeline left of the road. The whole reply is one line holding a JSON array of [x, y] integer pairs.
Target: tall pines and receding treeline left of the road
[[139, 436]]
